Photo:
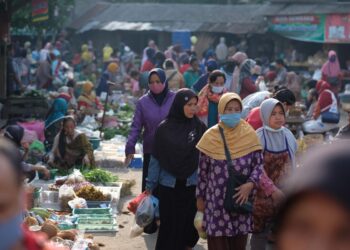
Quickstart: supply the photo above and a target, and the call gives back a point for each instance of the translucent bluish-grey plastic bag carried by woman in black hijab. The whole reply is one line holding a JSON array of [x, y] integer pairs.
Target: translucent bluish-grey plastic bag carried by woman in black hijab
[[145, 212]]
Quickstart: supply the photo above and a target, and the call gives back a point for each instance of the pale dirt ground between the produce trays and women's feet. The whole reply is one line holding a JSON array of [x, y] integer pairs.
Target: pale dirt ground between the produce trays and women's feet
[[122, 241]]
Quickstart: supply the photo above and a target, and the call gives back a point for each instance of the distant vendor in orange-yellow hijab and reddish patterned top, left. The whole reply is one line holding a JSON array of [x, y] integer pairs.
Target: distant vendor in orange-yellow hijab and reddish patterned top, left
[[88, 102]]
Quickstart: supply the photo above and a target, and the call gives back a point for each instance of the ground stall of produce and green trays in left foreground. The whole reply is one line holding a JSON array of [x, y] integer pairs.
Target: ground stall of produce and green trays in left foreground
[[72, 209]]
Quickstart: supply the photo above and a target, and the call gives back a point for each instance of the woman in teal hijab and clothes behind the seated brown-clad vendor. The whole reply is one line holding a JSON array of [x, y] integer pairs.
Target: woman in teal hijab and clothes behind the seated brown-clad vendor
[[53, 121]]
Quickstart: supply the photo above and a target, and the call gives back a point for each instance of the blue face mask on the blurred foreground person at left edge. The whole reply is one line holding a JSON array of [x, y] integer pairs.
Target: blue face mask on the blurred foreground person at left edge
[[11, 232]]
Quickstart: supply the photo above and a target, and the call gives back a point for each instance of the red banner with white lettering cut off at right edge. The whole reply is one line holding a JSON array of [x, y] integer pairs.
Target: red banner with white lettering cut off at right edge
[[337, 28]]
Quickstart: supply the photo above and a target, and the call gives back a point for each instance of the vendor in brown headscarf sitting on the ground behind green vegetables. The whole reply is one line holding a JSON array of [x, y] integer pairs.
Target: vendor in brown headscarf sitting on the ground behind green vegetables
[[71, 148]]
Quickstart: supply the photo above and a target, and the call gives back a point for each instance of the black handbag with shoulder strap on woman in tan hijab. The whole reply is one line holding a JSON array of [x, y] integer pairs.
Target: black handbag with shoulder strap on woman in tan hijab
[[235, 180]]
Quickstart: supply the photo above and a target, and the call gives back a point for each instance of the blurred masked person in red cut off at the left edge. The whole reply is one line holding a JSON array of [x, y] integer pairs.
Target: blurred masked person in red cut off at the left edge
[[13, 235]]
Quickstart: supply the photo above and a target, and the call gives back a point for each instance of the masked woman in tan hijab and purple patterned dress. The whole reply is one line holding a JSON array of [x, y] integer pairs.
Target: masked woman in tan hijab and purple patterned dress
[[227, 230]]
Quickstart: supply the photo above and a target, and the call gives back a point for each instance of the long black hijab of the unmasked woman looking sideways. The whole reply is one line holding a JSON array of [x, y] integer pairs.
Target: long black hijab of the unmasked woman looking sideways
[[176, 138]]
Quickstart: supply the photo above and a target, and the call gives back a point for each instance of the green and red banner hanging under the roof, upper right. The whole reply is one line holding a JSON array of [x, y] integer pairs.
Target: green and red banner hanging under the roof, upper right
[[303, 27]]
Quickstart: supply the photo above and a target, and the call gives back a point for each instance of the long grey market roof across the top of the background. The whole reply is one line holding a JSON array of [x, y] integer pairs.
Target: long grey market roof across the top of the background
[[236, 19]]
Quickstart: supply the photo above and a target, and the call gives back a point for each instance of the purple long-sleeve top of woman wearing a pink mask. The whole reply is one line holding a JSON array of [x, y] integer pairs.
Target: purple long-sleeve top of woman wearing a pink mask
[[148, 115]]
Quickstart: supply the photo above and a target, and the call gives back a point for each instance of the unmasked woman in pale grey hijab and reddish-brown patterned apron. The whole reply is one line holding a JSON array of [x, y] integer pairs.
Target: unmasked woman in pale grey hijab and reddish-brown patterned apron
[[279, 149]]
